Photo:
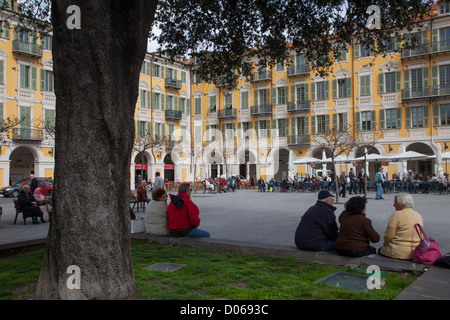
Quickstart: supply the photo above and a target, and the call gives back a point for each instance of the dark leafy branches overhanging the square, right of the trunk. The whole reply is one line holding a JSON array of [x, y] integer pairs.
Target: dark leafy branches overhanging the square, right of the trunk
[[223, 35]]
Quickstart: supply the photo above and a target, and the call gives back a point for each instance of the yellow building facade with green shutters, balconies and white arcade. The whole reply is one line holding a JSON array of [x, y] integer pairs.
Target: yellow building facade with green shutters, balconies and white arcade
[[255, 127]]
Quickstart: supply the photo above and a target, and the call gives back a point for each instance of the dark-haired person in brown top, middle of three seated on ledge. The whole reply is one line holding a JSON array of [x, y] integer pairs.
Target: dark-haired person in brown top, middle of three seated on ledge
[[356, 231]]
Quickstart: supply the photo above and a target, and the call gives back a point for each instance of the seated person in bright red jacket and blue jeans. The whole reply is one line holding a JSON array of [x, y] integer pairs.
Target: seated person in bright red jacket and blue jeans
[[184, 215]]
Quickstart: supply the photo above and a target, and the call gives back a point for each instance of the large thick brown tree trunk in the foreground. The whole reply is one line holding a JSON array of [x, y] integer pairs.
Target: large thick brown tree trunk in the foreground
[[96, 84]]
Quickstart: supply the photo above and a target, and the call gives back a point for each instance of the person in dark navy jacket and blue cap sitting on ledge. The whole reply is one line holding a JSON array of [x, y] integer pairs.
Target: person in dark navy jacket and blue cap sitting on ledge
[[318, 229]]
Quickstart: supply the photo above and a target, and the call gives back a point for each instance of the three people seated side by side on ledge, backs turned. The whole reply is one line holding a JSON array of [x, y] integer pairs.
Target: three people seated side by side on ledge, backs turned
[[318, 229]]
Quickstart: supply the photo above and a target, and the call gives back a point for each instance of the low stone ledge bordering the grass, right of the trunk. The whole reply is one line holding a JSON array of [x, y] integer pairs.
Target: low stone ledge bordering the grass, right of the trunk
[[322, 257]]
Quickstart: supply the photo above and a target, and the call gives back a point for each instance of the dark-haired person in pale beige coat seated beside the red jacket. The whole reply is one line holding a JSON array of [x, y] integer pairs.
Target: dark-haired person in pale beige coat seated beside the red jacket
[[156, 216]]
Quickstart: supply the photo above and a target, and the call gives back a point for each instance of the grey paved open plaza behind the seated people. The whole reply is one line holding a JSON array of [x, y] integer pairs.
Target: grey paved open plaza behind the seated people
[[265, 218]]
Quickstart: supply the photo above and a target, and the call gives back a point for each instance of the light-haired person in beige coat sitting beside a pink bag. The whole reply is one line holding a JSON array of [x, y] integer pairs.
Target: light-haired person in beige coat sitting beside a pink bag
[[400, 237]]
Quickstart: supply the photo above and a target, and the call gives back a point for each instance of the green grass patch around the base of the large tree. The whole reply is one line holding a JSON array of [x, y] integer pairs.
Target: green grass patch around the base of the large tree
[[211, 274]]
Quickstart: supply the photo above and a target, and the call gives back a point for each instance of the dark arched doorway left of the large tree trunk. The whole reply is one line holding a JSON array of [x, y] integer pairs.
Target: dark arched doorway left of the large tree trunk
[[22, 162]]
